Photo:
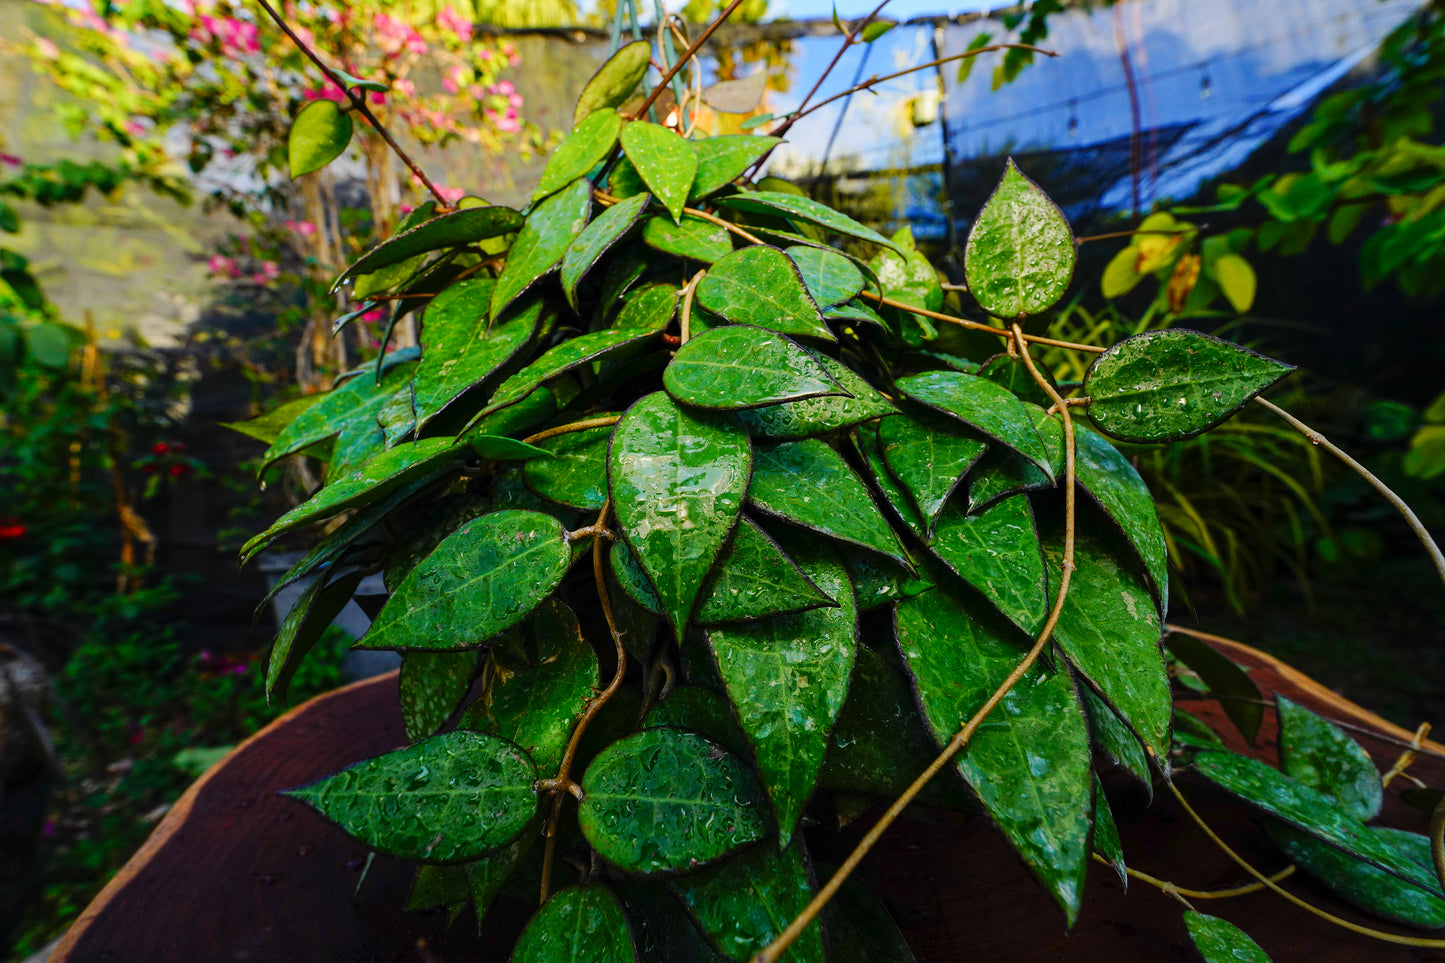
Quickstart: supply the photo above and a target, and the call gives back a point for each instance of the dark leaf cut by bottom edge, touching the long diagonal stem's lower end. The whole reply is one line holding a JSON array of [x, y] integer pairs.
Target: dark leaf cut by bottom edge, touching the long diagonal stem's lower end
[[745, 903]]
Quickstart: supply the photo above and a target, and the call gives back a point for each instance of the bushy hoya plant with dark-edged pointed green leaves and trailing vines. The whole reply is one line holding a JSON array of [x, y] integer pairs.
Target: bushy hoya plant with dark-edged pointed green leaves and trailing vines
[[704, 523]]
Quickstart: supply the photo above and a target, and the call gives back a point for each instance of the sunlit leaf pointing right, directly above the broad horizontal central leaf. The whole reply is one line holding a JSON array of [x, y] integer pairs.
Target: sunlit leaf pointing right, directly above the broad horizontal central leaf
[[759, 286]]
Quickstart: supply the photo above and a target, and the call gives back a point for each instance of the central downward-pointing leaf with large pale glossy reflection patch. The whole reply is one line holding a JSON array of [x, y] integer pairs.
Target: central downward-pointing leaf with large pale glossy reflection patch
[[677, 487]]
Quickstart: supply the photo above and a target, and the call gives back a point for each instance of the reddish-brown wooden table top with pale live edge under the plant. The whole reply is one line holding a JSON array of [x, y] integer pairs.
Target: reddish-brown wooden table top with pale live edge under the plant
[[238, 873]]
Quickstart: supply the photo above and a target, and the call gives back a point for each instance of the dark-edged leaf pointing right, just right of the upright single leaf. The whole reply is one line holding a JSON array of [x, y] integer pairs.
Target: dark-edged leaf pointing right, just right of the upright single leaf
[[1174, 384]]
